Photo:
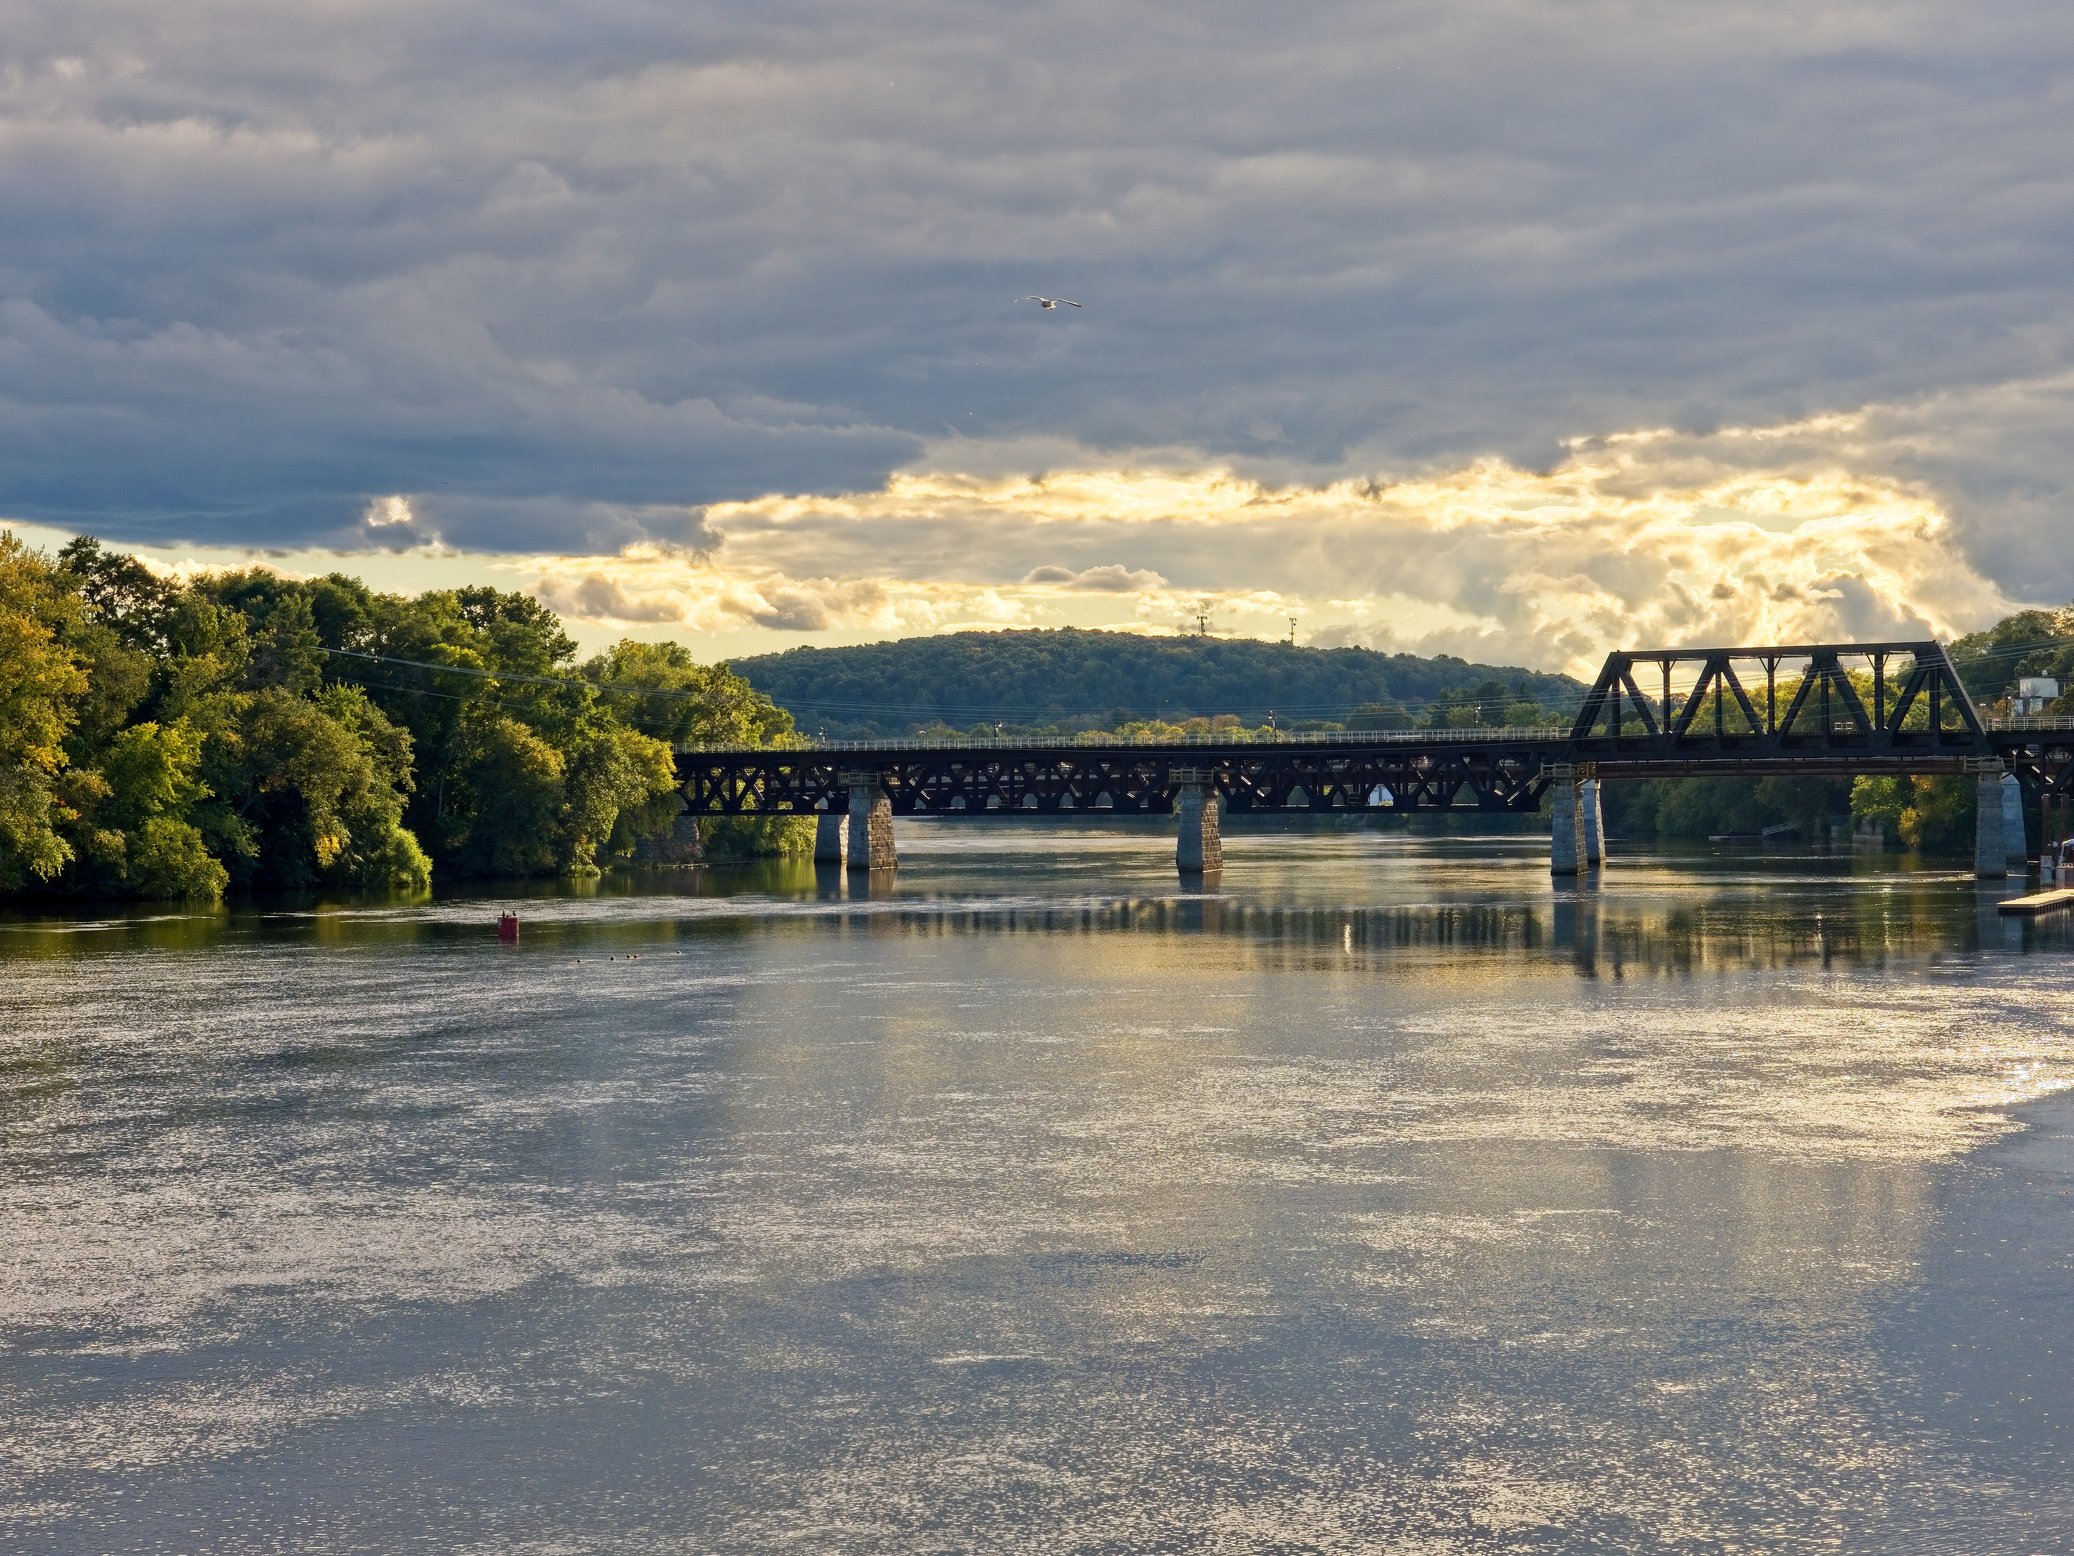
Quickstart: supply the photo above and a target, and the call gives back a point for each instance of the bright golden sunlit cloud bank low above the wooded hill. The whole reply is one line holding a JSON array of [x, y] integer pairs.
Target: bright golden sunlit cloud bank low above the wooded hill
[[1749, 534]]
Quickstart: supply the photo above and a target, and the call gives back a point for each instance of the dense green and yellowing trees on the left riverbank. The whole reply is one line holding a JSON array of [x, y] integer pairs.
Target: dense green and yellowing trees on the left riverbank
[[254, 731]]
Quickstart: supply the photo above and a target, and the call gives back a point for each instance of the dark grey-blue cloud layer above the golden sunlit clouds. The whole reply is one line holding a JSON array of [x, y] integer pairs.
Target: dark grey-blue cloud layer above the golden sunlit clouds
[[567, 271]]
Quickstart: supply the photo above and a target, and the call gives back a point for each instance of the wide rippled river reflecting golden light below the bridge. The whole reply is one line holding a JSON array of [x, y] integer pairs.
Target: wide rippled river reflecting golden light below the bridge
[[1382, 1200]]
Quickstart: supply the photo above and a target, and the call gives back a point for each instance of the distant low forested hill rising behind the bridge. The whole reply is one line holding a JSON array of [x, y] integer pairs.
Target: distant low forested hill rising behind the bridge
[[1080, 679]]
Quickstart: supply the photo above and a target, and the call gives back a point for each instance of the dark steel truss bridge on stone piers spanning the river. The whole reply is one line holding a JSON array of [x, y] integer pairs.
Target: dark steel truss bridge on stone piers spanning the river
[[1812, 711]]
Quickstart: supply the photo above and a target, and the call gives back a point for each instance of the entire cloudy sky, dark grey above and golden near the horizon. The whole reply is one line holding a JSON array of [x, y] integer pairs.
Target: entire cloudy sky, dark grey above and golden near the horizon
[[1496, 327]]
